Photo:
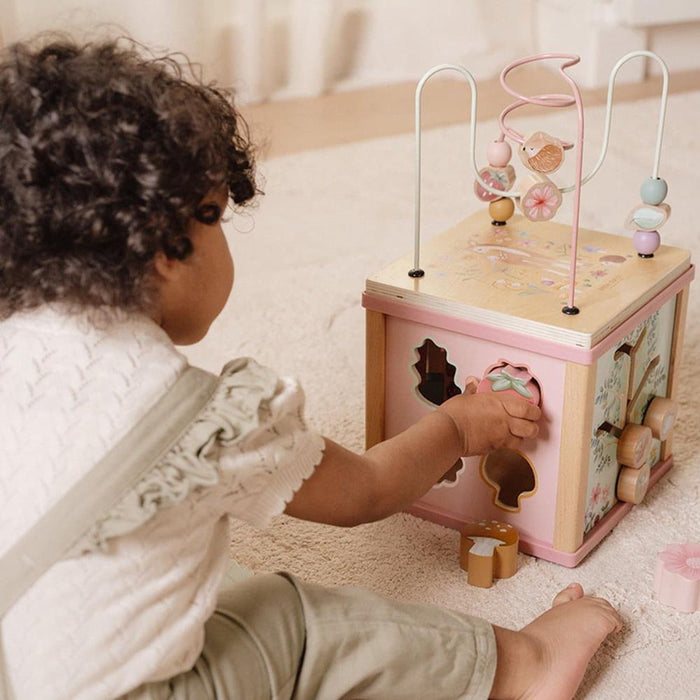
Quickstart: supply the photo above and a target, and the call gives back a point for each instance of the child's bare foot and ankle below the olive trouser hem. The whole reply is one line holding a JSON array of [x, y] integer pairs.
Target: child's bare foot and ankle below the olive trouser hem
[[546, 660]]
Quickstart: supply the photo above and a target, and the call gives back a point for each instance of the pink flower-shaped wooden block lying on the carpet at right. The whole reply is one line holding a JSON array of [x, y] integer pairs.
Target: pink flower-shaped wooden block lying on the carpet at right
[[677, 580]]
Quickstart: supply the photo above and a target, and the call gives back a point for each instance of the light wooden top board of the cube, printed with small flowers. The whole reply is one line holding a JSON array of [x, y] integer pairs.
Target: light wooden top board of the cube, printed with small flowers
[[516, 277]]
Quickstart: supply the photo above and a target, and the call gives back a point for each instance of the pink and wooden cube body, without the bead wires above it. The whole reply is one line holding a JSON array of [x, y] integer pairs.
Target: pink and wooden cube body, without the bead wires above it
[[491, 298]]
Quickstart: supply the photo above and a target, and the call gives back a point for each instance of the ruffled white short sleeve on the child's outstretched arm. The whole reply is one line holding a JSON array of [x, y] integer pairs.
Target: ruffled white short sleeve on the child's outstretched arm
[[250, 443]]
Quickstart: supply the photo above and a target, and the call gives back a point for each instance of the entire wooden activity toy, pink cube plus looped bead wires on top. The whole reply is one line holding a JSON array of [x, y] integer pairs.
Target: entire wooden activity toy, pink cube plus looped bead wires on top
[[587, 324]]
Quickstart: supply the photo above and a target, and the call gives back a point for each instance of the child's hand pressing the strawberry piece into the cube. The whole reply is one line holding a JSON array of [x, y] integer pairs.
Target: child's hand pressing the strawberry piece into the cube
[[488, 421]]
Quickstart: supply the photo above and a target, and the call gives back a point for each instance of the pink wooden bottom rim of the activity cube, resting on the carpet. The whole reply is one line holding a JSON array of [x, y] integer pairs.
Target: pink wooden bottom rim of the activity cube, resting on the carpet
[[540, 549]]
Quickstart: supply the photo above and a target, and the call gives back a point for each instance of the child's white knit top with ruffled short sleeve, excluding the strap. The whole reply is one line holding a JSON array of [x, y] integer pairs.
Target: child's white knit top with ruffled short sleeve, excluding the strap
[[131, 608]]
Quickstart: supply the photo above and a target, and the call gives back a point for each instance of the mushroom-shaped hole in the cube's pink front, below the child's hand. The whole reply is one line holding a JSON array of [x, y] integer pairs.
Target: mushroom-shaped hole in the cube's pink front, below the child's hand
[[511, 476]]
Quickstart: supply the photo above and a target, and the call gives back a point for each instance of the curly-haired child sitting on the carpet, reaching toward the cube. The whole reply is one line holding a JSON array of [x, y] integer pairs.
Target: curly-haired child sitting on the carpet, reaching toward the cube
[[115, 170]]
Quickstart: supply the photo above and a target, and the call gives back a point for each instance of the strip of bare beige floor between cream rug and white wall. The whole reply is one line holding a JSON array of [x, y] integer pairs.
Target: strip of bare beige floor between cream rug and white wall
[[296, 125]]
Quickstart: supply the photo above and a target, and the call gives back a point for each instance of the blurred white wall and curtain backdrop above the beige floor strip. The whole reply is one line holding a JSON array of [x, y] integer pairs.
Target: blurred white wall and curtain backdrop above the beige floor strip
[[284, 48]]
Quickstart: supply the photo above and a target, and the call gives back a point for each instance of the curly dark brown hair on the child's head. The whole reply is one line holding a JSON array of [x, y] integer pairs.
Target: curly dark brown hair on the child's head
[[105, 155]]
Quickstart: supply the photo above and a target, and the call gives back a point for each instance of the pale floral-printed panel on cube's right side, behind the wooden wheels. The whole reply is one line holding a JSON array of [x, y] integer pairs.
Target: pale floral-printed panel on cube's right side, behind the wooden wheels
[[610, 404]]
